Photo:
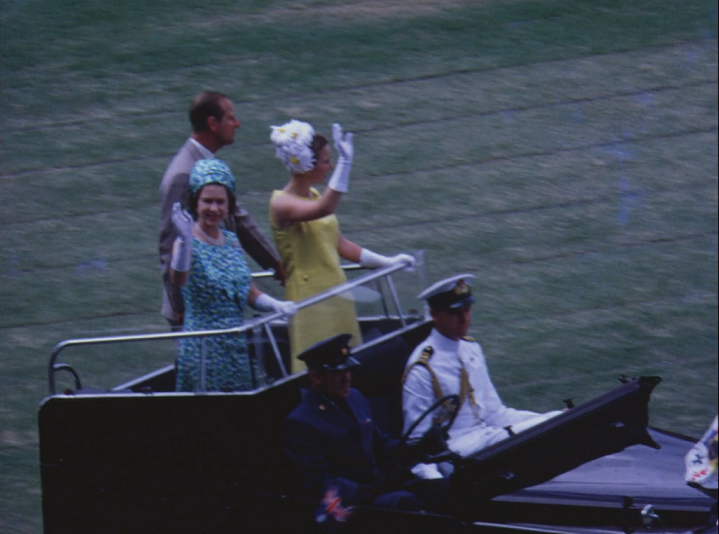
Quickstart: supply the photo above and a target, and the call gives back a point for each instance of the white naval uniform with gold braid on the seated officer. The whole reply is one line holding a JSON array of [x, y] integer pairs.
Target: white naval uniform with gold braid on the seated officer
[[474, 428]]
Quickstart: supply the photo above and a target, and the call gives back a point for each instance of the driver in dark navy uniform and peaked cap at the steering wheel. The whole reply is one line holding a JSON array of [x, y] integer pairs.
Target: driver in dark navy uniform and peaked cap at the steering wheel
[[335, 447]]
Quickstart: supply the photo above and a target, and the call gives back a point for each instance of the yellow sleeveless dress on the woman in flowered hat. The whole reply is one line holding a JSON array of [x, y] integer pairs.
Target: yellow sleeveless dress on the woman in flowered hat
[[308, 251]]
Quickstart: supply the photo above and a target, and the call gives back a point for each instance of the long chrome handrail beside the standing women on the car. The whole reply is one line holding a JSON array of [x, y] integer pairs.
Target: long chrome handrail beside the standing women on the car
[[248, 325]]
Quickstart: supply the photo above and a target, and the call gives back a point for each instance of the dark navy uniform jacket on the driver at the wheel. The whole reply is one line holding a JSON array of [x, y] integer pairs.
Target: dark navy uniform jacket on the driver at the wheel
[[329, 447]]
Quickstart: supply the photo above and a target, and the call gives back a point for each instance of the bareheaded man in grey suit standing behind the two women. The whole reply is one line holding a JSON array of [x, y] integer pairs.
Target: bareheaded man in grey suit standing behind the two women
[[213, 120]]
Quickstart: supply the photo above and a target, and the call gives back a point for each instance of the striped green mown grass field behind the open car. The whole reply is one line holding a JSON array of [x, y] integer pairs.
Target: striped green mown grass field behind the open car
[[565, 152]]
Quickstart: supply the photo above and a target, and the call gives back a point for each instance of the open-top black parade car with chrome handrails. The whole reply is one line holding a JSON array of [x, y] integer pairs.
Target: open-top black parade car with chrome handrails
[[141, 457]]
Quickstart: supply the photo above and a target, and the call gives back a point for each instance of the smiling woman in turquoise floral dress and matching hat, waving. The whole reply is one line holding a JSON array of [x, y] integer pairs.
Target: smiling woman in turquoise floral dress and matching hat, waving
[[209, 265]]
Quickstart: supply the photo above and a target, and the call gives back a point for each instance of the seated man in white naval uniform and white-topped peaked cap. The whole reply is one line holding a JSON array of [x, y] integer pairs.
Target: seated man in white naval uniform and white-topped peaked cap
[[448, 362]]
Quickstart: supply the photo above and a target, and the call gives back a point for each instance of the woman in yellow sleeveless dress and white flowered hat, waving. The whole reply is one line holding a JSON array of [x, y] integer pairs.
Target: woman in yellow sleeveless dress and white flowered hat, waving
[[308, 238]]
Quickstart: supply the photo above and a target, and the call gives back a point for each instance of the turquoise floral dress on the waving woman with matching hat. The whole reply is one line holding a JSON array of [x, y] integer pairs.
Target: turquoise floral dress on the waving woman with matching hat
[[215, 298]]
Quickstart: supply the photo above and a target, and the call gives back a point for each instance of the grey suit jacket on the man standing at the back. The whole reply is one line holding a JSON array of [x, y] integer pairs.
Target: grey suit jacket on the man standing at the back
[[175, 188]]
